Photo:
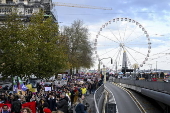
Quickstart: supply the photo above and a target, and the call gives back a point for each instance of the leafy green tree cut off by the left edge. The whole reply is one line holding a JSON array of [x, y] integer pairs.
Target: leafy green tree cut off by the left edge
[[11, 35]]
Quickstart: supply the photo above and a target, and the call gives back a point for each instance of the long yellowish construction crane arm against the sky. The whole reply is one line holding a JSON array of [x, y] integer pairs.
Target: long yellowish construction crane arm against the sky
[[79, 6]]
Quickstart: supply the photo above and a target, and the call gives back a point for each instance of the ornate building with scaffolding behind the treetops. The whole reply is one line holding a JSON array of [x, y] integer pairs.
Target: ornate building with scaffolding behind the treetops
[[25, 8]]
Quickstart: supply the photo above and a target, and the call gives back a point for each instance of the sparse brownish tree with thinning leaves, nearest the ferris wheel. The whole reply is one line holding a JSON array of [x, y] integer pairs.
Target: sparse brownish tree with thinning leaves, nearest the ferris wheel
[[79, 48]]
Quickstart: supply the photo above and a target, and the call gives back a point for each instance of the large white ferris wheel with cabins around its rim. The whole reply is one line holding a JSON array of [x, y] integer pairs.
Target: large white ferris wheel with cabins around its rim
[[119, 36]]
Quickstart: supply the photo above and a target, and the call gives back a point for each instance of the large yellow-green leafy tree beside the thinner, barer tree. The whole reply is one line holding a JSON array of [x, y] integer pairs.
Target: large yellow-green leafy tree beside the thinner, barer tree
[[50, 52]]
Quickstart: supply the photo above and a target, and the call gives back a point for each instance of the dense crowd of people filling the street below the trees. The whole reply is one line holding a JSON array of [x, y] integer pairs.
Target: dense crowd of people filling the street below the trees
[[60, 99]]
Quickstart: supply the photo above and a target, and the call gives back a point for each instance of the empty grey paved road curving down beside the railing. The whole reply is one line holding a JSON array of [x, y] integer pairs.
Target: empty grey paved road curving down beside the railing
[[124, 102]]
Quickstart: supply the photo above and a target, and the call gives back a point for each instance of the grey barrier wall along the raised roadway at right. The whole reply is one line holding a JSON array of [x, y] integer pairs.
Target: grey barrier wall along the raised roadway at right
[[157, 86]]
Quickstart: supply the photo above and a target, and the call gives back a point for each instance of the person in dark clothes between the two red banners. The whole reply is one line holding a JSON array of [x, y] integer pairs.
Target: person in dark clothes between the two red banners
[[16, 105]]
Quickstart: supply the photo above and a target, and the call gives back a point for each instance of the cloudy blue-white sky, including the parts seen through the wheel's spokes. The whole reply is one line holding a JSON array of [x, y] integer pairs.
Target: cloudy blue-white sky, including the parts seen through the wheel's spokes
[[152, 15]]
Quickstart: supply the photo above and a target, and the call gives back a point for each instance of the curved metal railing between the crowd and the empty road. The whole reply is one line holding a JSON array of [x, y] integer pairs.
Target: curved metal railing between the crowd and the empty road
[[99, 99]]
